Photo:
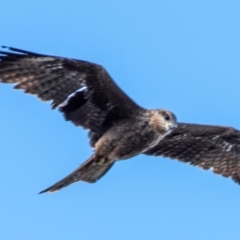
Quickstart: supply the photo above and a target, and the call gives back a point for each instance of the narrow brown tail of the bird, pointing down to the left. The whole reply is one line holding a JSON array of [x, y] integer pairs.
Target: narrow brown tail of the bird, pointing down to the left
[[90, 171]]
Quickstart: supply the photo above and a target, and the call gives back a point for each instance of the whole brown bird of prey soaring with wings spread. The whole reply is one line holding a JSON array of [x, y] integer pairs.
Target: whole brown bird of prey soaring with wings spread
[[118, 127]]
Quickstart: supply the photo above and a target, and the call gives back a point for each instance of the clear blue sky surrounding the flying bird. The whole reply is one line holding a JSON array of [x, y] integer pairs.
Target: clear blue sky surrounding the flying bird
[[179, 55]]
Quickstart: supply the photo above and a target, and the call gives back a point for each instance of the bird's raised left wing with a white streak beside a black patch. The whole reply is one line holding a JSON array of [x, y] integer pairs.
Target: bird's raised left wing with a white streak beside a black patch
[[83, 91]]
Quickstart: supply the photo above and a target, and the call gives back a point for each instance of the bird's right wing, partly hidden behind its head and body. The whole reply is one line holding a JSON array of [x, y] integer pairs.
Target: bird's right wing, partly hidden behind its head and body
[[206, 146]]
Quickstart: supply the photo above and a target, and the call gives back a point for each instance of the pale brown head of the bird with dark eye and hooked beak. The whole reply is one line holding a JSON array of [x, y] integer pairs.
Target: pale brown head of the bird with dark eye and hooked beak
[[164, 121]]
